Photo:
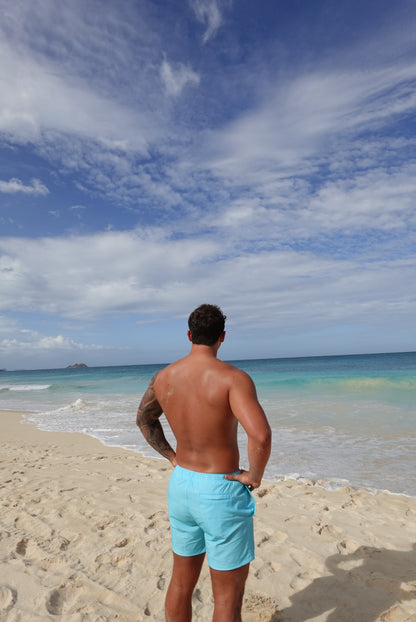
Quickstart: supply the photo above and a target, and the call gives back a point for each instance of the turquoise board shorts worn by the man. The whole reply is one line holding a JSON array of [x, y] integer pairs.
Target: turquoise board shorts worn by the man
[[211, 514]]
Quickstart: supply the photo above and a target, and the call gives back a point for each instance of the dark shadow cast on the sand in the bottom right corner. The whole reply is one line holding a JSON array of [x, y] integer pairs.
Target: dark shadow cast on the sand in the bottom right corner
[[361, 587]]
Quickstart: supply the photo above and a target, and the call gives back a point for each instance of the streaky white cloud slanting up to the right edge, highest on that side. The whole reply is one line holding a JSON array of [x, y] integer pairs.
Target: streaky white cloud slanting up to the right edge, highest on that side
[[299, 120]]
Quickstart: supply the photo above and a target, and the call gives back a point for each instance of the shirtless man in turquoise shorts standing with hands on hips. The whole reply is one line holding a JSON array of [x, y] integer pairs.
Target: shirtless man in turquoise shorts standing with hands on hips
[[210, 504]]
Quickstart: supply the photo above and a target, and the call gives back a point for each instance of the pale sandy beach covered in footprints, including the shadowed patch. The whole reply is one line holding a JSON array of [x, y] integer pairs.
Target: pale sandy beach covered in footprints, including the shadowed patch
[[84, 537]]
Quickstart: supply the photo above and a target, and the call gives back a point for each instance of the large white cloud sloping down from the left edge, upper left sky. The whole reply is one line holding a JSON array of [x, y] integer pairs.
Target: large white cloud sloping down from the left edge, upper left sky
[[28, 113]]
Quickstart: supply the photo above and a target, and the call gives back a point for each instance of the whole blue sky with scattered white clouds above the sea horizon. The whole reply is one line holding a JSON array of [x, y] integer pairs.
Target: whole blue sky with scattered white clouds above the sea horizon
[[156, 155]]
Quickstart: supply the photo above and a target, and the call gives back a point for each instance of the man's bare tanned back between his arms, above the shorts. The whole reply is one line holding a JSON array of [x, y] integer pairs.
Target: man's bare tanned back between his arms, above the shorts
[[194, 393]]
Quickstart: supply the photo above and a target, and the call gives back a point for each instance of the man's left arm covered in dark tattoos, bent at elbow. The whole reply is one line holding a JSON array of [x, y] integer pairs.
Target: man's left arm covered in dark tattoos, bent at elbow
[[148, 416]]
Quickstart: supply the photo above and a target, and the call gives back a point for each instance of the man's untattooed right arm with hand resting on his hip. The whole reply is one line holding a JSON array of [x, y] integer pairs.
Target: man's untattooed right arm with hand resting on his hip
[[246, 408]]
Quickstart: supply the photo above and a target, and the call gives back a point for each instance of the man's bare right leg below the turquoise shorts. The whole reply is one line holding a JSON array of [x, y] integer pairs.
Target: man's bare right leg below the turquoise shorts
[[228, 590]]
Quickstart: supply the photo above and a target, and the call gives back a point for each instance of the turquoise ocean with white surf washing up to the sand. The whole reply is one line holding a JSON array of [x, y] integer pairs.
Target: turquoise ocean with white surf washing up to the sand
[[336, 420]]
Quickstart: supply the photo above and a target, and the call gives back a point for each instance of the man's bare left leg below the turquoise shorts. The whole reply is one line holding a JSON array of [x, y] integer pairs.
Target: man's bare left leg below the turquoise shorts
[[185, 574]]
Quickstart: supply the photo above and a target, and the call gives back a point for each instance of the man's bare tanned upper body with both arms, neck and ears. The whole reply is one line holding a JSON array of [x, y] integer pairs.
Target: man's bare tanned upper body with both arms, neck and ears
[[203, 400]]
